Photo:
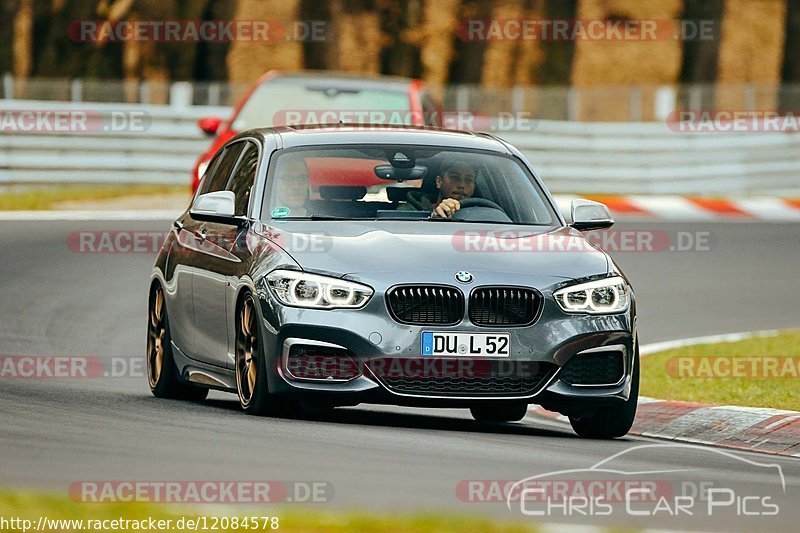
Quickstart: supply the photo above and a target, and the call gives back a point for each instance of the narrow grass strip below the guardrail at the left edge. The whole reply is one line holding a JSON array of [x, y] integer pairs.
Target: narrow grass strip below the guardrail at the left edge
[[45, 197]]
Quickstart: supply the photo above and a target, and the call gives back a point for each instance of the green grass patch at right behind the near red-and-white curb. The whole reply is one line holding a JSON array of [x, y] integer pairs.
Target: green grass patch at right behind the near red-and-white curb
[[756, 372]]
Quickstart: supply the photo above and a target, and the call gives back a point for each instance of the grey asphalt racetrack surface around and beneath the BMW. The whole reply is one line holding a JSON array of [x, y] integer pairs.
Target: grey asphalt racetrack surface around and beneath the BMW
[[54, 432]]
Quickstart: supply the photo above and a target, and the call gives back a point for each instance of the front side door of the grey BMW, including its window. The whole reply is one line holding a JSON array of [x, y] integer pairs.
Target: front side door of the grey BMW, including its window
[[224, 258]]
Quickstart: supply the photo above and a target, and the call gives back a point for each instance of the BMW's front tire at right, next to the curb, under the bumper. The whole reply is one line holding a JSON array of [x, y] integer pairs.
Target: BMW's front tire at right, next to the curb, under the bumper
[[612, 421]]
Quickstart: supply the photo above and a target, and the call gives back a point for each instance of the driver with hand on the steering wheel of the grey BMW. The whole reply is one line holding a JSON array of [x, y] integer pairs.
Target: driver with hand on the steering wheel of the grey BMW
[[455, 183]]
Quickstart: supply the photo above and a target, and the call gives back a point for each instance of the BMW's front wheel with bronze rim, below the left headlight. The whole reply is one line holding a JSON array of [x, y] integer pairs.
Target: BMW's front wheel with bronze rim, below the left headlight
[[251, 367]]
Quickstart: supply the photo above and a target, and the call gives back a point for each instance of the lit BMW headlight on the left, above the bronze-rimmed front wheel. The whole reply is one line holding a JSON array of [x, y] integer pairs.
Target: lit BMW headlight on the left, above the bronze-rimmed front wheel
[[319, 292]]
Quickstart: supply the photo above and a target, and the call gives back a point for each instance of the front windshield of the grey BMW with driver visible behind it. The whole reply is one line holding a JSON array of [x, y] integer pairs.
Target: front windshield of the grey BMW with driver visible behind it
[[403, 182]]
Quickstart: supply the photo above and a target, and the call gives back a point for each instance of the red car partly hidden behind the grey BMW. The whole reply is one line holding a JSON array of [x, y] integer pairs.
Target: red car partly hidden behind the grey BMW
[[313, 97]]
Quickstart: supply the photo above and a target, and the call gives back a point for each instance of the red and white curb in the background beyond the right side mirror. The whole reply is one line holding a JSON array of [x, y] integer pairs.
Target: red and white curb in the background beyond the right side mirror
[[694, 209]]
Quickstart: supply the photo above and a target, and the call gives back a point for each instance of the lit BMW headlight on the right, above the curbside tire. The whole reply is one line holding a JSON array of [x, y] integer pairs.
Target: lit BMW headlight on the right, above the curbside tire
[[605, 296]]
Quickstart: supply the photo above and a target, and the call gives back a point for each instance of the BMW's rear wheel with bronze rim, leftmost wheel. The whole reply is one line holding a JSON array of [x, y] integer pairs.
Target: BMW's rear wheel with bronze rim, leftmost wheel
[[162, 374]]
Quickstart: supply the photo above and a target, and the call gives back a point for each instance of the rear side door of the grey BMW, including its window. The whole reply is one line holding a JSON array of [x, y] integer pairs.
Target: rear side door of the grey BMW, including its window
[[192, 236]]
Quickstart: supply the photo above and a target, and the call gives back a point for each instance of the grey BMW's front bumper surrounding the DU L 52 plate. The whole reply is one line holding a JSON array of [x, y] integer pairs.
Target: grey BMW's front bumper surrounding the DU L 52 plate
[[369, 335]]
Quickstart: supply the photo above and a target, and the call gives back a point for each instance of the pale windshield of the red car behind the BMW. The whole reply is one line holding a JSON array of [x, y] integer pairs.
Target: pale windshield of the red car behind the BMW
[[279, 104]]
